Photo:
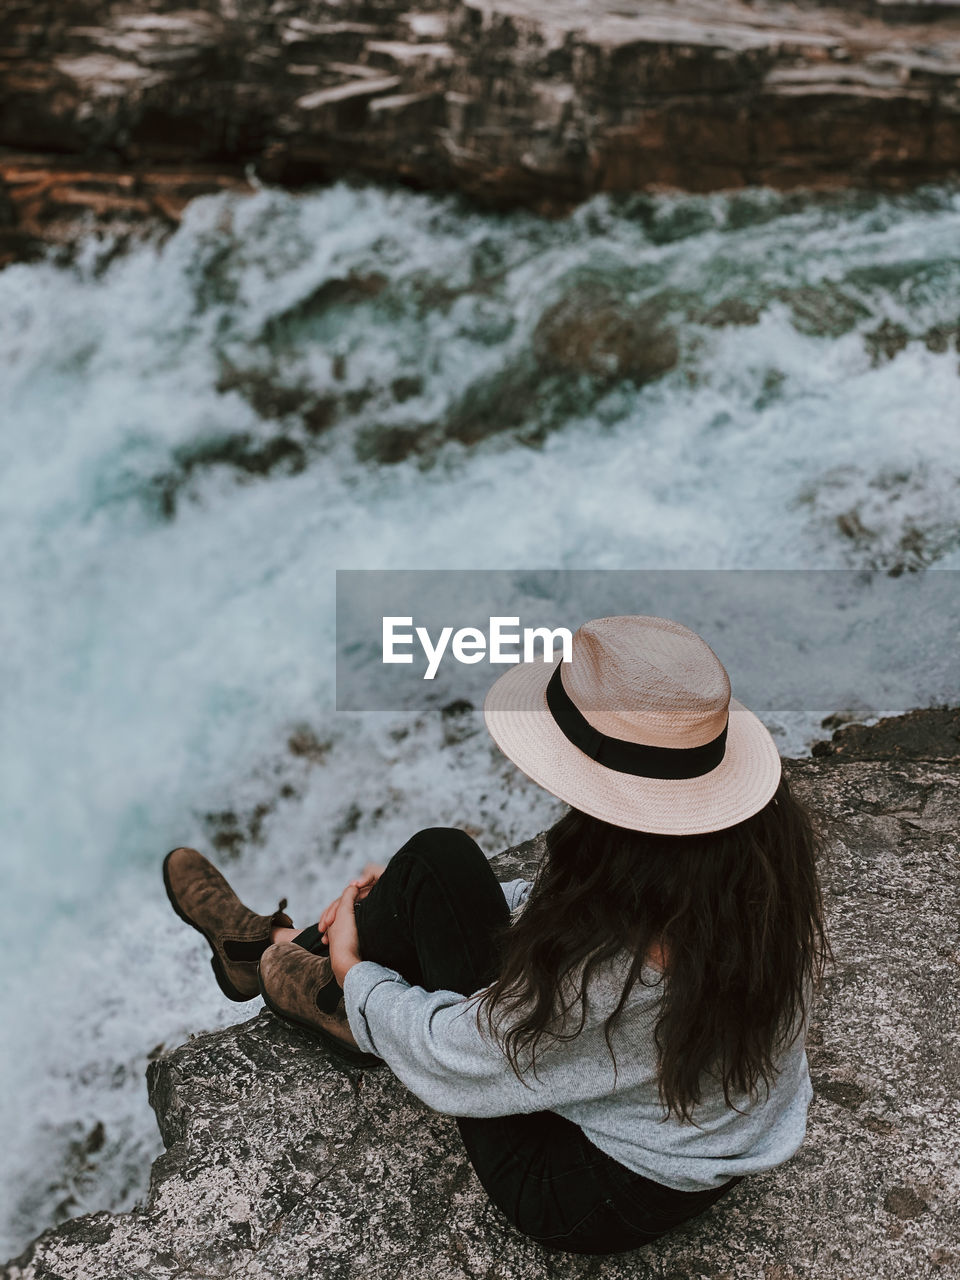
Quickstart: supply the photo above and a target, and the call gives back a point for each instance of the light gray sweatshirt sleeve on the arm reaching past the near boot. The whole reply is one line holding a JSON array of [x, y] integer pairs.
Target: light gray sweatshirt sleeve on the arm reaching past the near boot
[[435, 1045]]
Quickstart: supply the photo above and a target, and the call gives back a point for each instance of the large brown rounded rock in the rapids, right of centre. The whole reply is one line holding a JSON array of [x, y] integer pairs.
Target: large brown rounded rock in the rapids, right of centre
[[595, 331]]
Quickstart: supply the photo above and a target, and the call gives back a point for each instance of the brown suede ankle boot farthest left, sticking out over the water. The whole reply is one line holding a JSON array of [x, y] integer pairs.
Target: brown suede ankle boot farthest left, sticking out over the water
[[237, 936]]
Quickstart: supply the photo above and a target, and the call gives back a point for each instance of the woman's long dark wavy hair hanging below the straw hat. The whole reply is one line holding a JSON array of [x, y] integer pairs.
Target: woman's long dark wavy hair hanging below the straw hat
[[739, 918]]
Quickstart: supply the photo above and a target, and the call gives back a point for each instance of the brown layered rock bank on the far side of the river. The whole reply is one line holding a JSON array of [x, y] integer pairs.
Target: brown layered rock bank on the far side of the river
[[116, 115]]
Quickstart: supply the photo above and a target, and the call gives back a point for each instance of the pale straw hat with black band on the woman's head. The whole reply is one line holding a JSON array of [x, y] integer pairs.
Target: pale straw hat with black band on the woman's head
[[639, 730]]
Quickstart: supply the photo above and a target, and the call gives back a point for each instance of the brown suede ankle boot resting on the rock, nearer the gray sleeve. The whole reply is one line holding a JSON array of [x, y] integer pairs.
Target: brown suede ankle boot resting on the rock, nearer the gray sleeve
[[300, 988]]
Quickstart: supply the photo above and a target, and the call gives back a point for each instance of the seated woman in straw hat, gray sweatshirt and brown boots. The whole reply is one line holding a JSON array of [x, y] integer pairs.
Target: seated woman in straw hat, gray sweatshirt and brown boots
[[623, 1041]]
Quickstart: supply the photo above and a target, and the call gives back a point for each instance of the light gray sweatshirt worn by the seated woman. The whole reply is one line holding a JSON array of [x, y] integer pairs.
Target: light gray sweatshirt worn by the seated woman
[[435, 1045]]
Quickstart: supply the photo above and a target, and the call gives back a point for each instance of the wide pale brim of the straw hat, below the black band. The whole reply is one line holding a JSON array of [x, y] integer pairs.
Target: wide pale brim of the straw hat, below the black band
[[522, 725]]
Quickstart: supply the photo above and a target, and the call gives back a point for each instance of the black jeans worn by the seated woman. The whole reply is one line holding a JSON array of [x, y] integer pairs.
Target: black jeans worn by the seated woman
[[433, 917]]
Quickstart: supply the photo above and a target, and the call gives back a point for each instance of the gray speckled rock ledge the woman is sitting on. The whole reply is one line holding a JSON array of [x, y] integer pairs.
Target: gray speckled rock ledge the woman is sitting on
[[281, 1163]]
